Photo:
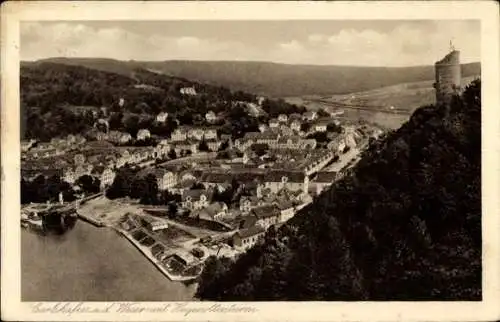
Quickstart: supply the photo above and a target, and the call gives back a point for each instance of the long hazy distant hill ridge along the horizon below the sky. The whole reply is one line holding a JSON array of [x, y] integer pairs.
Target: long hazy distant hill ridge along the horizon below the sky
[[272, 79]]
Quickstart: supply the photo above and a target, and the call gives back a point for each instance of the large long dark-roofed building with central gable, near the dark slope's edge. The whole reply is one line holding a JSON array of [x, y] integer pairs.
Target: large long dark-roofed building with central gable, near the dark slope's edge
[[290, 180]]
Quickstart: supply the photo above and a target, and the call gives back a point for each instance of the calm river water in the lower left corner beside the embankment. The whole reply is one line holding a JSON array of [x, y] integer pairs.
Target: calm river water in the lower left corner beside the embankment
[[91, 264]]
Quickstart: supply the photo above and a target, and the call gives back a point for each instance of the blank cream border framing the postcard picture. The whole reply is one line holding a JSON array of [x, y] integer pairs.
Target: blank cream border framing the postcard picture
[[487, 12]]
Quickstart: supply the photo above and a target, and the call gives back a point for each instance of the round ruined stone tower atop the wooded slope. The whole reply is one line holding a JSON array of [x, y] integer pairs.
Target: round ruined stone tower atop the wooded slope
[[448, 76]]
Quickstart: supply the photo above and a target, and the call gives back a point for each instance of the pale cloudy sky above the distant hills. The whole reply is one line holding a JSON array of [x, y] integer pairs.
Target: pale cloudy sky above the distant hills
[[314, 42]]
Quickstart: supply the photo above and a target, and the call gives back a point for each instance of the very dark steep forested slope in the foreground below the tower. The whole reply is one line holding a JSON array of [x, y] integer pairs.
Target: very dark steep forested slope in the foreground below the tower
[[405, 224]]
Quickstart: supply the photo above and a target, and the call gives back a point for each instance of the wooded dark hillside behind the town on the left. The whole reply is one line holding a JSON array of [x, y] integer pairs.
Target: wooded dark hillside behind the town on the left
[[59, 99]]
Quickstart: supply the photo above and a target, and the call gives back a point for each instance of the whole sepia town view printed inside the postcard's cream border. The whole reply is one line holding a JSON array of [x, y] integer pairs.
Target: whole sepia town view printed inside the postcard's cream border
[[249, 160]]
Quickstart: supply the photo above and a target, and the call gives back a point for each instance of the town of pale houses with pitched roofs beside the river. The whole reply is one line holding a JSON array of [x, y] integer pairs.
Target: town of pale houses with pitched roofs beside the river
[[196, 192]]
